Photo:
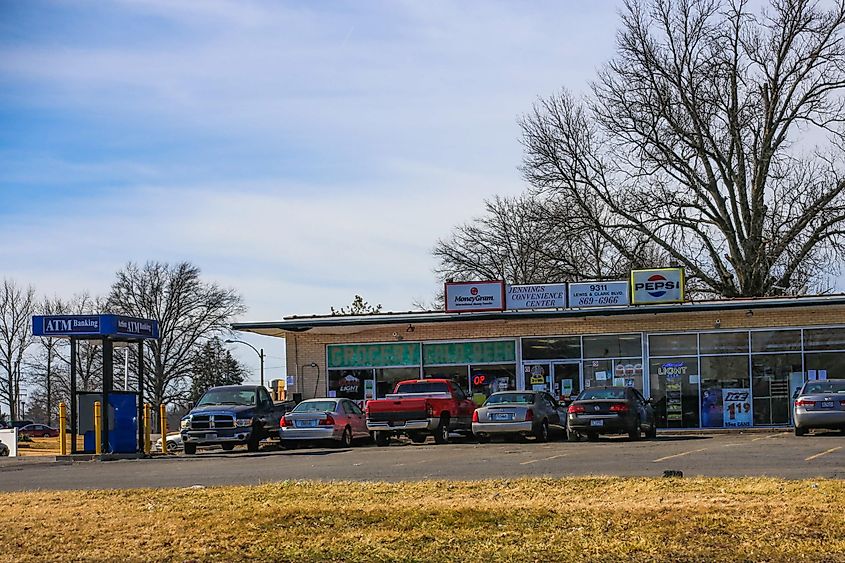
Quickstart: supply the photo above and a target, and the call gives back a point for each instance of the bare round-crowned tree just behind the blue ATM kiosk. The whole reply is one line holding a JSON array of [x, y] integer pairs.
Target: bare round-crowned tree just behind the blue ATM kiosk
[[188, 311]]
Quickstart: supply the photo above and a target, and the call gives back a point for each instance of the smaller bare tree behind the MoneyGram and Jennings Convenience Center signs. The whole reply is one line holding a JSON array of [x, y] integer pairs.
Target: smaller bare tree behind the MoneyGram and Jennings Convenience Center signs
[[535, 238]]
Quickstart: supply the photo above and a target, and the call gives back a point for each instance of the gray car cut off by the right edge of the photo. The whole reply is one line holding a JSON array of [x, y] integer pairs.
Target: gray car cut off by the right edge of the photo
[[820, 404]]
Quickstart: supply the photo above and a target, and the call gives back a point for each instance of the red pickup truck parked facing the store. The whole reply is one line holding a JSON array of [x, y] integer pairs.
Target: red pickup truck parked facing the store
[[419, 407]]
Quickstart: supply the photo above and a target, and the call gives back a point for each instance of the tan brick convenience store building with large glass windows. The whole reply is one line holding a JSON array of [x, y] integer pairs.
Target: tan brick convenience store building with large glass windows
[[707, 364]]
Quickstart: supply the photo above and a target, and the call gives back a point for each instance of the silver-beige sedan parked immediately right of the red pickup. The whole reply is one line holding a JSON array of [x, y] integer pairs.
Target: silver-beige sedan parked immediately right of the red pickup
[[522, 413]]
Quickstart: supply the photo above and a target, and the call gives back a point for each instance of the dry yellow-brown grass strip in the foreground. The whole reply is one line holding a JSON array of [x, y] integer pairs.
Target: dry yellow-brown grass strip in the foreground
[[519, 520]]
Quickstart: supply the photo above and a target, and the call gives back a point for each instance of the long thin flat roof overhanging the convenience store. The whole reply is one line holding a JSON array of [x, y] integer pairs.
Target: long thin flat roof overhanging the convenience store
[[340, 324]]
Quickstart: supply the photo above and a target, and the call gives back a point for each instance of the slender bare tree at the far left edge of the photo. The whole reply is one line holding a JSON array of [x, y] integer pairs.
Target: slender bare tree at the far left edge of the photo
[[17, 305]]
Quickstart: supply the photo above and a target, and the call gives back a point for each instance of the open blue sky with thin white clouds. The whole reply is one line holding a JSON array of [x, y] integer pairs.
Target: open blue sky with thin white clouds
[[301, 152]]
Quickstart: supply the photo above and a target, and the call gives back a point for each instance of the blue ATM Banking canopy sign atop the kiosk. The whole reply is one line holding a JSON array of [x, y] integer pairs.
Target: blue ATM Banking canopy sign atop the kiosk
[[114, 327]]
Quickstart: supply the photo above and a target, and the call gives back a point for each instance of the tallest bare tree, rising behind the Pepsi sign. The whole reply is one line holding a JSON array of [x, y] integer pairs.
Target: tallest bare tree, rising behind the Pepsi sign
[[715, 135]]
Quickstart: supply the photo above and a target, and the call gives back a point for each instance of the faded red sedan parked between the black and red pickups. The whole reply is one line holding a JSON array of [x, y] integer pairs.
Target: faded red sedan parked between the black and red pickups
[[339, 420]]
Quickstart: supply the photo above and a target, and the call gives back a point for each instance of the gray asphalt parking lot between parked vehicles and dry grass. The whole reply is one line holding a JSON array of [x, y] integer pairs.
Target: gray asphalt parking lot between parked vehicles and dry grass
[[775, 454]]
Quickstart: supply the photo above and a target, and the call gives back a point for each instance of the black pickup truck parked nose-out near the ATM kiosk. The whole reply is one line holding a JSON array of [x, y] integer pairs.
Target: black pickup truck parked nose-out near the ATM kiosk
[[231, 415]]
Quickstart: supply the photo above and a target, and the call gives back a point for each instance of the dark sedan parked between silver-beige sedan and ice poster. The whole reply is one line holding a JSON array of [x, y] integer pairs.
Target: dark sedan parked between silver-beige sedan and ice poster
[[610, 410]]
